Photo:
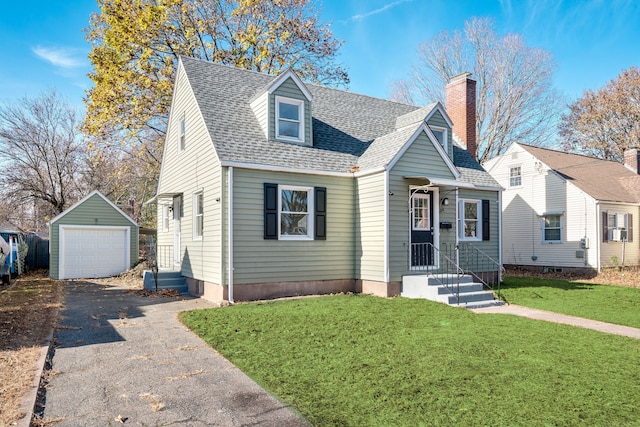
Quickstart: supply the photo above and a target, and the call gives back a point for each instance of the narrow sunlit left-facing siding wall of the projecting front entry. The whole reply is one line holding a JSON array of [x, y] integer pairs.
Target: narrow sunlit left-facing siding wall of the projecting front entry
[[369, 245]]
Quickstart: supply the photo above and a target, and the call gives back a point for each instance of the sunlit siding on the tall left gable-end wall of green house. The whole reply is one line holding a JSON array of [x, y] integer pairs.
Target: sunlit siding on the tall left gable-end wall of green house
[[195, 168]]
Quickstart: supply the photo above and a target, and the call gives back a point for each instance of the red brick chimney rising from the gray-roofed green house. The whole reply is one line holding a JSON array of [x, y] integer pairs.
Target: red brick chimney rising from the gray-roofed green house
[[461, 108]]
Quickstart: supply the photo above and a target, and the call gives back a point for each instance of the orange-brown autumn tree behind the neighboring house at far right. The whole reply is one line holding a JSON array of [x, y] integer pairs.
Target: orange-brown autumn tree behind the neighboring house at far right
[[603, 123]]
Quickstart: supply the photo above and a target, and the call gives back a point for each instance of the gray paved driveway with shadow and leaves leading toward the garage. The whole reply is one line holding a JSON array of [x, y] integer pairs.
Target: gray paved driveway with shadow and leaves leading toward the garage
[[125, 359]]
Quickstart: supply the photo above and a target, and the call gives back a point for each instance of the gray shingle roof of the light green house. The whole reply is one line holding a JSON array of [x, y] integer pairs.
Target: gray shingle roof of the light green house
[[348, 129]]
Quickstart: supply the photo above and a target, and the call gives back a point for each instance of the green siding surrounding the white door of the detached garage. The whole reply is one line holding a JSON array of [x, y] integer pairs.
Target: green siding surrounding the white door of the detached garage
[[92, 212]]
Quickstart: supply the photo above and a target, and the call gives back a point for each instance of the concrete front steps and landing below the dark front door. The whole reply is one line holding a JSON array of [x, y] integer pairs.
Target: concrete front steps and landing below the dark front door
[[429, 287]]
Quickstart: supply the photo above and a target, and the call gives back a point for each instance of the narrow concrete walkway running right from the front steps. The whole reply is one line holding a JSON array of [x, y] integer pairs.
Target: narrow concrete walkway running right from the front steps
[[548, 316]]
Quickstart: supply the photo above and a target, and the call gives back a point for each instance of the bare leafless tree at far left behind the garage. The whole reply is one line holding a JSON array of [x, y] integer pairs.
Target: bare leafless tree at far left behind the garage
[[41, 152]]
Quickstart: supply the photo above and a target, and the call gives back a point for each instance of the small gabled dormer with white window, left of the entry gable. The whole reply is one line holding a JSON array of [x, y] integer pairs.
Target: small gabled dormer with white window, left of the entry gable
[[283, 110]]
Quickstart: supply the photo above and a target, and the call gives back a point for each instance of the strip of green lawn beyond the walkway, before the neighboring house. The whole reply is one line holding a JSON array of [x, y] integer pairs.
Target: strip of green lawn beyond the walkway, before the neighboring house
[[612, 304]]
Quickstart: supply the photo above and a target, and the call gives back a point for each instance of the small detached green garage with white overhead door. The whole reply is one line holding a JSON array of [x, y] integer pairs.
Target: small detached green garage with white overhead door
[[93, 238]]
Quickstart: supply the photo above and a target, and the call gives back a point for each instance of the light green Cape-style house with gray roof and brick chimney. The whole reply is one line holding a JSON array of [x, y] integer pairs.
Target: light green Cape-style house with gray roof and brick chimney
[[271, 187]]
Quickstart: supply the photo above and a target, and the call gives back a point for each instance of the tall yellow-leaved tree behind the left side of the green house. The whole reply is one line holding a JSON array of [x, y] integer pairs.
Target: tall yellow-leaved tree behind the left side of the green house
[[135, 46]]
